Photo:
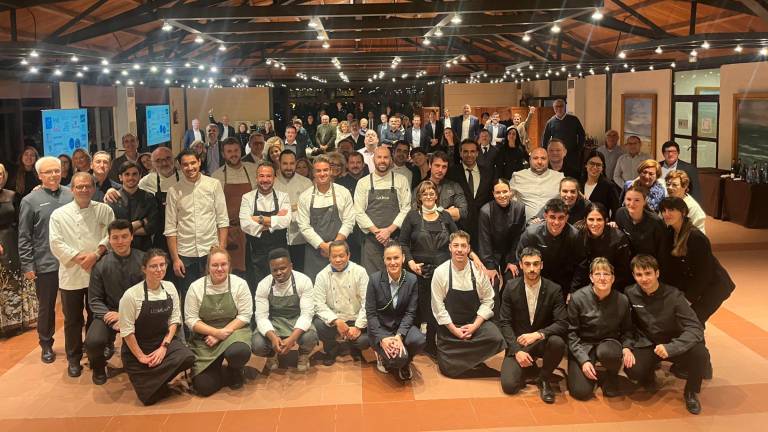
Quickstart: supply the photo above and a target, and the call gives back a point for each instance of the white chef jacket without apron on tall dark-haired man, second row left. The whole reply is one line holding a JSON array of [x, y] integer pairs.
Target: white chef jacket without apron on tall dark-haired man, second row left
[[193, 214]]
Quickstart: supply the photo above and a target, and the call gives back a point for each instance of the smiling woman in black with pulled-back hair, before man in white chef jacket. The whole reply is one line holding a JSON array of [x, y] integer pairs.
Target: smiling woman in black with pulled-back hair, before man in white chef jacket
[[500, 224]]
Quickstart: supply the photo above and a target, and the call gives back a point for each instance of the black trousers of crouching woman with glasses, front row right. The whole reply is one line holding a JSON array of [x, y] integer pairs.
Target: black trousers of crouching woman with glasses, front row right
[[608, 353]]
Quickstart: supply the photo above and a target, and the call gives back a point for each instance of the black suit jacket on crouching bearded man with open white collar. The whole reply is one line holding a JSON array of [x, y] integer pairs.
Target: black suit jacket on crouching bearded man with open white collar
[[550, 318]]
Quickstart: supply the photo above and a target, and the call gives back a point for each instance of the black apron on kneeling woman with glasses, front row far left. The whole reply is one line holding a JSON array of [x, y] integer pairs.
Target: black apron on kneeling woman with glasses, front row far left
[[151, 326]]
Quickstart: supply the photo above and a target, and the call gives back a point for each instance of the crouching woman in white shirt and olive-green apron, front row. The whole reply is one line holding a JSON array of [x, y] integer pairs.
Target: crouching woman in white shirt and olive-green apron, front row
[[218, 310]]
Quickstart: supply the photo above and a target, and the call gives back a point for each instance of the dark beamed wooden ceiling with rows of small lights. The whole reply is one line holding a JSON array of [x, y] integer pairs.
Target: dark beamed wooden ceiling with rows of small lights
[[205, 42]]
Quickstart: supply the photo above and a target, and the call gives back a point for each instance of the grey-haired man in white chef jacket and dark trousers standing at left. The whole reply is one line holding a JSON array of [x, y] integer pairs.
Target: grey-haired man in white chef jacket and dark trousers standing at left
[[78, 235]]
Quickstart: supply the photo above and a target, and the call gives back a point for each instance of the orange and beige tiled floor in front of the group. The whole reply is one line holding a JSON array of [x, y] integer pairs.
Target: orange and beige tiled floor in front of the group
[[348, 396]]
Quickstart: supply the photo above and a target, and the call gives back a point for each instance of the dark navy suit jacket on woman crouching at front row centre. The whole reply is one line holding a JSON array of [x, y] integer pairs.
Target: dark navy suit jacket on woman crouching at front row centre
[[384, 320]]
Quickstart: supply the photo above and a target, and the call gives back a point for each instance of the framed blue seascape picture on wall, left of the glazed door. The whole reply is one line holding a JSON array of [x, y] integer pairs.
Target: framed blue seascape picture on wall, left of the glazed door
[[638, 117]]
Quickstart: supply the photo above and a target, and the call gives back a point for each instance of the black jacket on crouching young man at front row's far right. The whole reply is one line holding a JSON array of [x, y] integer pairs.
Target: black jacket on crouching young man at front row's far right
[[664, 317]]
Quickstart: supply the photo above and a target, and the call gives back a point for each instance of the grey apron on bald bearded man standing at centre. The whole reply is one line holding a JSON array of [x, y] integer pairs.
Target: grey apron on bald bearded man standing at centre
[[383, 207]]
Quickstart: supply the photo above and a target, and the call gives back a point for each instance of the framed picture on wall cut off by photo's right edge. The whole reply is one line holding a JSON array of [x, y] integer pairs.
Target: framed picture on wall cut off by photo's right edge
[[750, 127]]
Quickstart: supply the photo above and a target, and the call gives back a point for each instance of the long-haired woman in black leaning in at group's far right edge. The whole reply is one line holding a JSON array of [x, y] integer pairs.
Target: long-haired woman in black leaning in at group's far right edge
[[693, 268]]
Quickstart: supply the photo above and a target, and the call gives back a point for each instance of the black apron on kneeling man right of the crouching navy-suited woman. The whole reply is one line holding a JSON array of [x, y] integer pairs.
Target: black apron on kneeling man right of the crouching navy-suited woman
[[456, 356]]
